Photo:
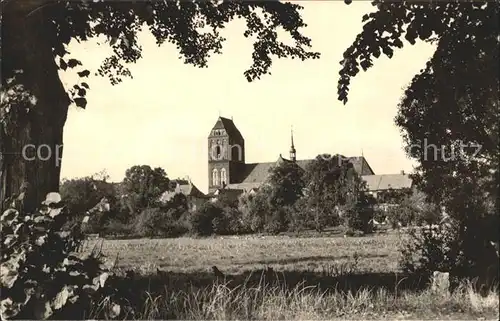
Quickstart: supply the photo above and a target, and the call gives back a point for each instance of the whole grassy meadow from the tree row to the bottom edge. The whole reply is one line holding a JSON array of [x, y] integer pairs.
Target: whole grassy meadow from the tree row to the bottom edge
[[281, 277]]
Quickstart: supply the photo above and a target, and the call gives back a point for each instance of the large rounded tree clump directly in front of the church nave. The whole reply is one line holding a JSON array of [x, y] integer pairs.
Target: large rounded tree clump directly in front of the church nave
[[327, 193]]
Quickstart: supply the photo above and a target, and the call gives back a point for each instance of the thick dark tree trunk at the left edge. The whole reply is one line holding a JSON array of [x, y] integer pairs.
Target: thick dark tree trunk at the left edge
[[27, 57]]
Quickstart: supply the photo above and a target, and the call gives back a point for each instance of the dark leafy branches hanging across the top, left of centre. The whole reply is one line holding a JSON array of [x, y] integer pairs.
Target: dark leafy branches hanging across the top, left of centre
[[180, 23]]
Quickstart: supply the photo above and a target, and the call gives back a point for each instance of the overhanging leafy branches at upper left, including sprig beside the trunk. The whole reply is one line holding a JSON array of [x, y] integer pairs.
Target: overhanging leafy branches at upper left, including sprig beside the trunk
[[194, 27]]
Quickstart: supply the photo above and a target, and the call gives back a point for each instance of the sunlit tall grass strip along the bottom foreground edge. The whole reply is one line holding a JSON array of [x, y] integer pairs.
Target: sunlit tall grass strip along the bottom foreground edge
[[273, 302]]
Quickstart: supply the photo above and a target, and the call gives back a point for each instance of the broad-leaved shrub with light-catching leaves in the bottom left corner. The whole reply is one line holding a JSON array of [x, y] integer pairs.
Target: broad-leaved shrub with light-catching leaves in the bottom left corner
[[41, 277]]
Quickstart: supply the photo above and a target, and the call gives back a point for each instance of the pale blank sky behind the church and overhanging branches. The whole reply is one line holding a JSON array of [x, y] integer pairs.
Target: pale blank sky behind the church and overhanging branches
[[162, 117]]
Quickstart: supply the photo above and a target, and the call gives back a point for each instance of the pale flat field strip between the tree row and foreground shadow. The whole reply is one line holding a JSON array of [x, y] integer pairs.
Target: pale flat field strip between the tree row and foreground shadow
[[237, 254]]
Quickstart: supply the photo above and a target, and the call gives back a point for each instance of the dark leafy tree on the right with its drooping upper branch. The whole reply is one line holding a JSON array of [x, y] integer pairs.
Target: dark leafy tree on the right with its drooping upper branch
[[449, 113]]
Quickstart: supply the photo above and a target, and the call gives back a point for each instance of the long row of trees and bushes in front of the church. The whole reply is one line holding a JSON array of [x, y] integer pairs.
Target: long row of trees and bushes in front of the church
[[327, 193]]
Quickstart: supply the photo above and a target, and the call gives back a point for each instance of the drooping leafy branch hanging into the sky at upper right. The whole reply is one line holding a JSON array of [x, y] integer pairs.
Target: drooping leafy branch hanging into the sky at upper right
[[431, 21]]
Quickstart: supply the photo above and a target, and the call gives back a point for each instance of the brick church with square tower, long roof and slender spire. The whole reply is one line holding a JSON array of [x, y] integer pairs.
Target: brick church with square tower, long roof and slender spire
[[228, 170]]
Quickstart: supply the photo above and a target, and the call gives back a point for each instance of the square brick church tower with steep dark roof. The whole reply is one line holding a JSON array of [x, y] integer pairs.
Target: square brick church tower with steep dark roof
[[226, 154]]
